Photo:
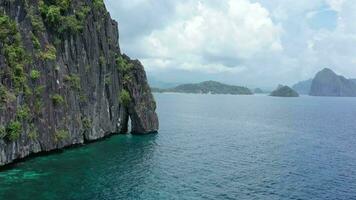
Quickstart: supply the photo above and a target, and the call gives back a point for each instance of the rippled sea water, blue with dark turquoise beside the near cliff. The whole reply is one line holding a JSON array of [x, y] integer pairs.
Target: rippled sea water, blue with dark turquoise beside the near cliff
[[209, 147]]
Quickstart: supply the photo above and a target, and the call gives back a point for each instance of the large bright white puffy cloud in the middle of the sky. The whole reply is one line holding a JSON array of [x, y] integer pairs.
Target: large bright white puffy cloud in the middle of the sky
[[238, 31]]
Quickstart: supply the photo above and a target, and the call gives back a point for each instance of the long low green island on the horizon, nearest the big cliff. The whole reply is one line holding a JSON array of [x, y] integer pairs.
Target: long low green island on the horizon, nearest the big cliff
[[207, 87]]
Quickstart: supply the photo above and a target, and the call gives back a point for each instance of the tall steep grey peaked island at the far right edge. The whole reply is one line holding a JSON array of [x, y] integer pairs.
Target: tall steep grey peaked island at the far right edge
[[327, 83]]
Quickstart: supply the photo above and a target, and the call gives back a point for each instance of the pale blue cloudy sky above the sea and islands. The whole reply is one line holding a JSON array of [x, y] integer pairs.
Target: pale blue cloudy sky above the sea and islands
[[254, 43]]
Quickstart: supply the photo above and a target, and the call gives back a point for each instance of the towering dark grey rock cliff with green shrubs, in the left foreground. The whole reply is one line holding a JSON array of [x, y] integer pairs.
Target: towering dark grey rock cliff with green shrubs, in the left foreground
[[63, 80]]
